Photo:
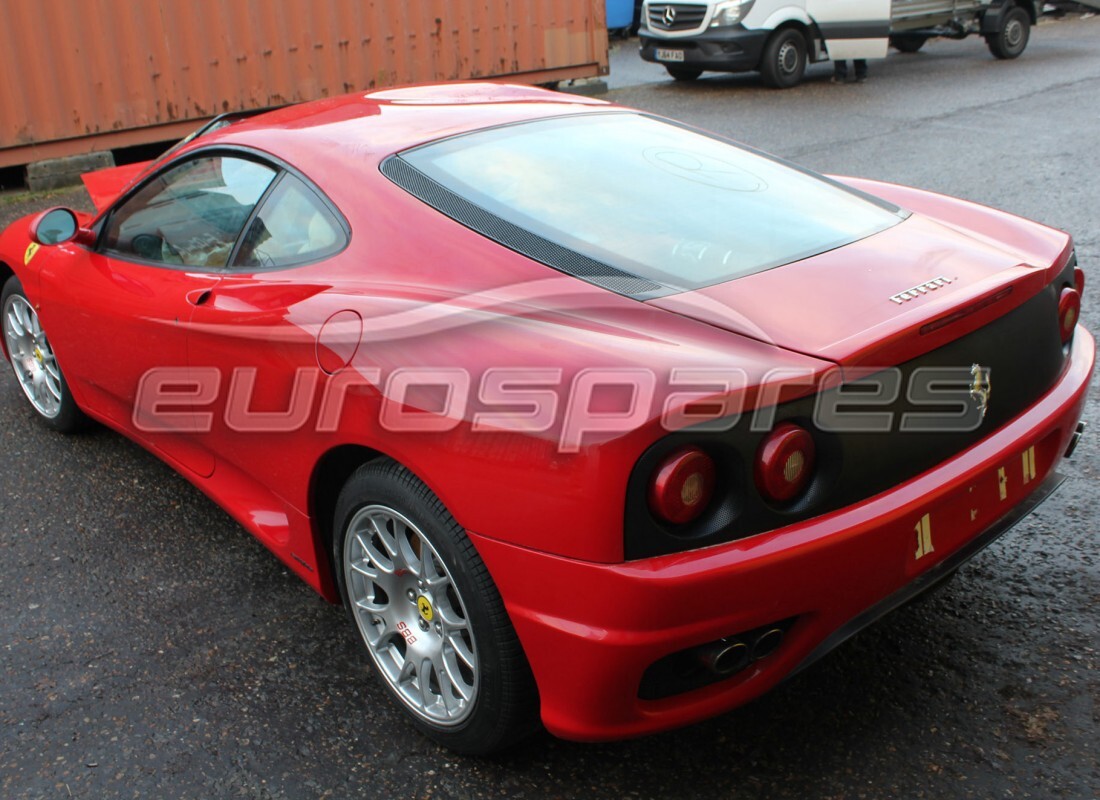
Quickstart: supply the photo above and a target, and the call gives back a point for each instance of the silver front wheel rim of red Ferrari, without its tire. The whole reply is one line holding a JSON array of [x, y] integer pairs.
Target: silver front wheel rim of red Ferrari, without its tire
[[31, 357]]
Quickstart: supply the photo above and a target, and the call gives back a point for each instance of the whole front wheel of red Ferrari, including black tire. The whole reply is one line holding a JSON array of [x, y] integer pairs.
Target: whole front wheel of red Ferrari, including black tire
[[34, 361]]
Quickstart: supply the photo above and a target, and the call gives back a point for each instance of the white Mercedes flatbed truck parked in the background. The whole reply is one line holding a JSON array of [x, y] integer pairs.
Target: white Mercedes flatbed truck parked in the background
[[779, 38]]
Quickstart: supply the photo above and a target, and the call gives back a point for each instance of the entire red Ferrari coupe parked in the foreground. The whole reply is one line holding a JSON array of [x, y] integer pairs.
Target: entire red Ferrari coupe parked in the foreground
[[582, 414]]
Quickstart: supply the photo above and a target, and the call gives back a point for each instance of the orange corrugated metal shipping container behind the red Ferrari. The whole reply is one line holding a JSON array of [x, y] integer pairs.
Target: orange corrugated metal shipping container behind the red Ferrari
[[103, 74]]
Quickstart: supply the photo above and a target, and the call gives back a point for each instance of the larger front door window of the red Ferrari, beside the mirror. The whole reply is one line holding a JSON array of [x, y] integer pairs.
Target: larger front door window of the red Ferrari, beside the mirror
[[191, 215]]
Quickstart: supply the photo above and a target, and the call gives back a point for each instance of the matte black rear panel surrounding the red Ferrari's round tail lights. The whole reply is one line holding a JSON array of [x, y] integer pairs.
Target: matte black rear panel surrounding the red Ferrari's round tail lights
[[1025, 355]]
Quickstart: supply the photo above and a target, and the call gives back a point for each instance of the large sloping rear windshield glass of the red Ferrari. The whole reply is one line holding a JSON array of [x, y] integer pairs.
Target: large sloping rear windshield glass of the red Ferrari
[[654, 200]]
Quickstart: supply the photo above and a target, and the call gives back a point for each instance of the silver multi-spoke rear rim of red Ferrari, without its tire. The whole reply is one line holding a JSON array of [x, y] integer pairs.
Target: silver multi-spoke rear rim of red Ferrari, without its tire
[[411, 615]]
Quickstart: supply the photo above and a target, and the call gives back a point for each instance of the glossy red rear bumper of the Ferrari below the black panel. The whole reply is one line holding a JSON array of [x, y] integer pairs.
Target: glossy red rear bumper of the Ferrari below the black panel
[[591, 631]]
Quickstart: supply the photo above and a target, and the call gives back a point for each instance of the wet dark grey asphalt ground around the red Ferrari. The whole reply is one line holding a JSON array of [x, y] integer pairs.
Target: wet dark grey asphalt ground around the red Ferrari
[[150, 649]]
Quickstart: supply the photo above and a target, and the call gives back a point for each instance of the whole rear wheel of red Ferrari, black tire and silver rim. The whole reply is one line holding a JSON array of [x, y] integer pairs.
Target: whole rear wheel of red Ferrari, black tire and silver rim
[[504, 708]]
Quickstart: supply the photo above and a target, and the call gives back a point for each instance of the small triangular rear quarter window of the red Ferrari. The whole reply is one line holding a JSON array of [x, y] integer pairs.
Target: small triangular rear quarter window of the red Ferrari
[[294, 226]]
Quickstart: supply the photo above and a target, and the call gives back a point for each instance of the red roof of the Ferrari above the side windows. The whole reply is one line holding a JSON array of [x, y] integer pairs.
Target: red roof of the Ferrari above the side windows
[[362, 129]]
